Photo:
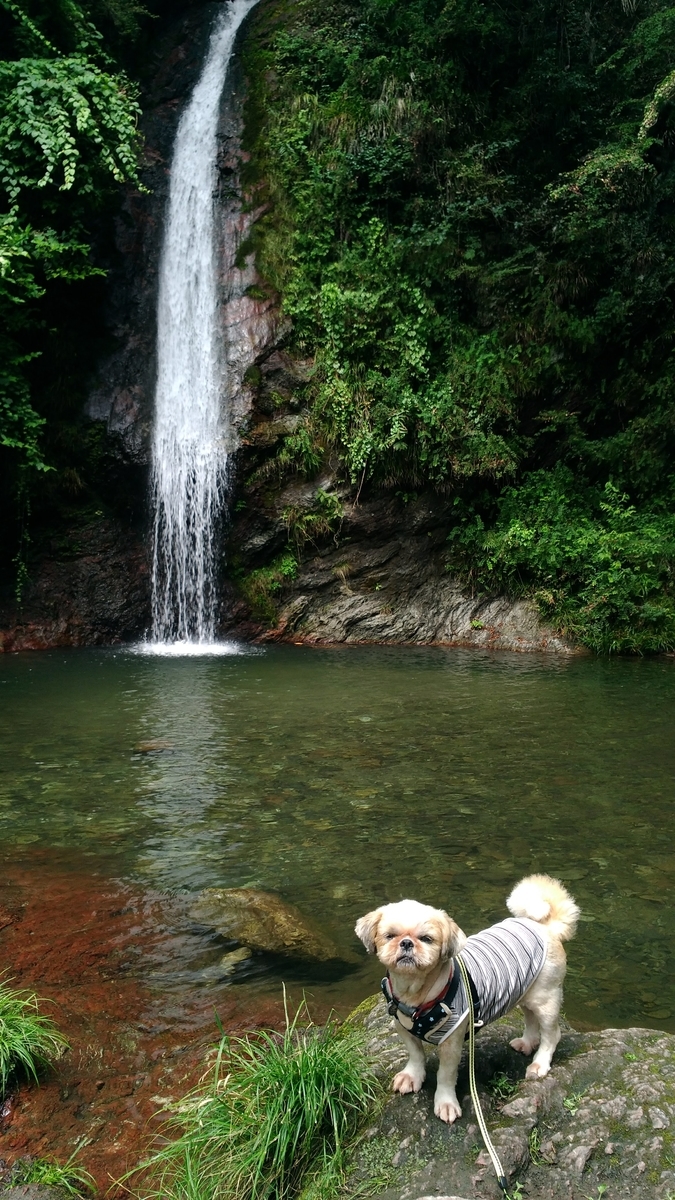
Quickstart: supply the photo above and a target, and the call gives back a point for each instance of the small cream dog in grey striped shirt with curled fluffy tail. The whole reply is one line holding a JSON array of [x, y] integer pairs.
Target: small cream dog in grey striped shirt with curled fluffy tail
[[518, 962]]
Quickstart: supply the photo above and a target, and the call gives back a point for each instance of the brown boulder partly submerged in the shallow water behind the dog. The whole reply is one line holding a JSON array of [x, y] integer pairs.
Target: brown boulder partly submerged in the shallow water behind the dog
[[264, 922]]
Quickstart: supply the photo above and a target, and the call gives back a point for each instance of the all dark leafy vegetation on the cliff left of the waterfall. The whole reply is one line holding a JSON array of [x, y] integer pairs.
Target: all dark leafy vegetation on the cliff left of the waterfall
[[69, 137]]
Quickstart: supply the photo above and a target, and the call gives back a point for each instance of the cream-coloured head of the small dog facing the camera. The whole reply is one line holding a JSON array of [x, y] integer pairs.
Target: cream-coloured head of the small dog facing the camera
[[409, 937]]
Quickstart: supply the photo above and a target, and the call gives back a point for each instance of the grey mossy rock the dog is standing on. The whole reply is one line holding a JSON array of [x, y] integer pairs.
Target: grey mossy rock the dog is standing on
[[600, 1121]]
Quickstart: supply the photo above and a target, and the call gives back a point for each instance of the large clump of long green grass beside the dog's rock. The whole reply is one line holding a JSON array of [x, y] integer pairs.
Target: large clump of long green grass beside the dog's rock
[[273, 1121]]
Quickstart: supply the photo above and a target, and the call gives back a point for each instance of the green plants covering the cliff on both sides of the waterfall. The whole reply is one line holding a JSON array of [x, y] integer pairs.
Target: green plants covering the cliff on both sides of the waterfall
[[470, 223]]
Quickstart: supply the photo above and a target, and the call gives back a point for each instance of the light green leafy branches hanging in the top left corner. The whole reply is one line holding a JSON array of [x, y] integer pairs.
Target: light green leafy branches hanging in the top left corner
[[68, 136]]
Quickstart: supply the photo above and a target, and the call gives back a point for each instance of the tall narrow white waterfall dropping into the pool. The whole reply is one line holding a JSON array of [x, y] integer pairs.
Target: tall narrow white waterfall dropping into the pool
[[190, 449]]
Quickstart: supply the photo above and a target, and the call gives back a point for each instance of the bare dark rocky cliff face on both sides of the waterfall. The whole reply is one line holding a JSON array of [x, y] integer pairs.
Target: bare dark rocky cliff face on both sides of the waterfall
[[356, 568]]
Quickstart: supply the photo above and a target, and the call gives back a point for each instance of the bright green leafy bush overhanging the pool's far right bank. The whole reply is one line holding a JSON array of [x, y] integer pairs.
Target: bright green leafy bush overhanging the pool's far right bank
[[602, 571]]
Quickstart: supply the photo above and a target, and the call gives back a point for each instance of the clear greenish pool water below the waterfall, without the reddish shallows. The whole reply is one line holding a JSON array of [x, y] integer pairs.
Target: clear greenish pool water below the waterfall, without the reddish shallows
[[350, 777]]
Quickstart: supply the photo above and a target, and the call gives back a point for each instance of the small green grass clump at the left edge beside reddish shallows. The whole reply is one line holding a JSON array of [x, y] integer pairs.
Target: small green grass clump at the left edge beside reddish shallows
[[28, 1040]]
